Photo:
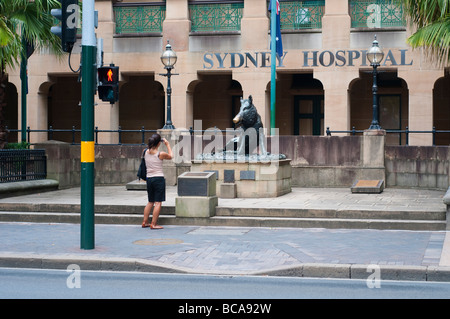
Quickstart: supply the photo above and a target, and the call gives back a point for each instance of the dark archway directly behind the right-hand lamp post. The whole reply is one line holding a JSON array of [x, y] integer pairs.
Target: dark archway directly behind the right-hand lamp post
[[392, 101]]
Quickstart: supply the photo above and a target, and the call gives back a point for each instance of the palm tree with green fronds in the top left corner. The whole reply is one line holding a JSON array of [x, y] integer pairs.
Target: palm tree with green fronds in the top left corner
[[28, 20]]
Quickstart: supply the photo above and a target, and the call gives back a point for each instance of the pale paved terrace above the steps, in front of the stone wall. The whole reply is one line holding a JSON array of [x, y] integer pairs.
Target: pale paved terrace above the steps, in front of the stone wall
[[318, 198]]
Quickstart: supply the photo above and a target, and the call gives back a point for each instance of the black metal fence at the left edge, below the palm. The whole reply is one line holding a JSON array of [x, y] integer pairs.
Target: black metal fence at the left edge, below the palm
[[22, 165]]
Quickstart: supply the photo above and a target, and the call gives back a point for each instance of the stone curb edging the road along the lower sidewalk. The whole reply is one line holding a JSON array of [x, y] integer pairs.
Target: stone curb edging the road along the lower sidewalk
[[307, 270]]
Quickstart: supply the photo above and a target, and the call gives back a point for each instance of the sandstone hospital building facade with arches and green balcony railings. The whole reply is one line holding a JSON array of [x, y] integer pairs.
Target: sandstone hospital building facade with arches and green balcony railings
[[323, 79]]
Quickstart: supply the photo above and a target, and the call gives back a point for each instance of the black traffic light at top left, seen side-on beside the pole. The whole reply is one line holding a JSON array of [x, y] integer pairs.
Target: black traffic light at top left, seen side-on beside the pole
[[68, 15]]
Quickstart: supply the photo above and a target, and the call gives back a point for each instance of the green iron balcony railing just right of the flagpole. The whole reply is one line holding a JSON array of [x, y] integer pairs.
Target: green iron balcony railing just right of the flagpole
[[299, 15]]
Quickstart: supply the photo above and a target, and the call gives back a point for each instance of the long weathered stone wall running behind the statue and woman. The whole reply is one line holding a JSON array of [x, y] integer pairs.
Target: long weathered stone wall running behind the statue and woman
[[317, 161]]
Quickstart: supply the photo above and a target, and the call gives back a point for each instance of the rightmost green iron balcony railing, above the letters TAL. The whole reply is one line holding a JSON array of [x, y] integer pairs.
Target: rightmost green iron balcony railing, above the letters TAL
[[376, 14]]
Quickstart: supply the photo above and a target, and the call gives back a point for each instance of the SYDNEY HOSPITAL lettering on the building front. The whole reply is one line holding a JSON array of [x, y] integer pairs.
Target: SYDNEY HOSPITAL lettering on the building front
[[325, 58]]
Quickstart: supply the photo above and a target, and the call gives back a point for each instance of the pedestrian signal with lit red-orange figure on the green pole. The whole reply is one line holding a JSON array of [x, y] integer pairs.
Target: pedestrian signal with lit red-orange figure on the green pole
[[108, 83]]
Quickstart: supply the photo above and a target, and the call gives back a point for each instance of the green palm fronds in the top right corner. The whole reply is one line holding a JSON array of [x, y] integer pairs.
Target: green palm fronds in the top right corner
[[432, 19]]
